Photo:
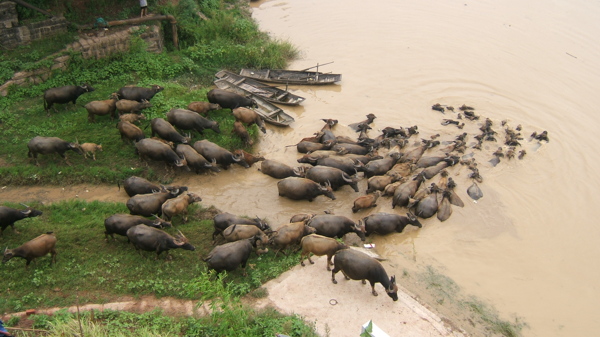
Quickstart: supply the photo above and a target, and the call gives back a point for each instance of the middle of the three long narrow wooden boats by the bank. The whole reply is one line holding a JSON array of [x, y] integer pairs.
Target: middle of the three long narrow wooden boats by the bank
[[270, 93]]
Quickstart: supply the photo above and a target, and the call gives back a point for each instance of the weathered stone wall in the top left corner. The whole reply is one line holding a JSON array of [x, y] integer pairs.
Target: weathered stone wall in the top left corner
[[13, 35]]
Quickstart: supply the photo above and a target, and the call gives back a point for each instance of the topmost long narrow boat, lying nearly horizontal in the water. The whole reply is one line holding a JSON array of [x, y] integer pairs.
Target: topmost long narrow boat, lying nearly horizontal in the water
[[291, 76]]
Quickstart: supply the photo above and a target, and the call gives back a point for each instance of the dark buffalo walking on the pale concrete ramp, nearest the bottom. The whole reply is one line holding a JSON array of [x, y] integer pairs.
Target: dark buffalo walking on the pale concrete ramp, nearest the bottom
[[360, 266]]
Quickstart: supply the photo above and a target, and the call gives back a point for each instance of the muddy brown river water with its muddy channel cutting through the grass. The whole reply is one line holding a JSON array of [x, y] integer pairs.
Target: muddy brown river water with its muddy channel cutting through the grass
[[529, 246]]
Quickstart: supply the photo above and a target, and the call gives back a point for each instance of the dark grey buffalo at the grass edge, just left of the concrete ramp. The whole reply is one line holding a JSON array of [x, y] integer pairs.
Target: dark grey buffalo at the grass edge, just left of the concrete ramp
[[230, 255]]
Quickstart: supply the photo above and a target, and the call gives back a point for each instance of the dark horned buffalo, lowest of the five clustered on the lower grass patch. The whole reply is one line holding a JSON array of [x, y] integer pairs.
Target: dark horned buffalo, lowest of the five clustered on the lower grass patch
[[155, 240]]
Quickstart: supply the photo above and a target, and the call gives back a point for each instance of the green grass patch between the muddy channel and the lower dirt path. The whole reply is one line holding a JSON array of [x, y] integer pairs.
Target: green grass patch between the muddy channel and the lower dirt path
[[98, 271]]
